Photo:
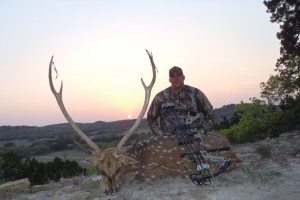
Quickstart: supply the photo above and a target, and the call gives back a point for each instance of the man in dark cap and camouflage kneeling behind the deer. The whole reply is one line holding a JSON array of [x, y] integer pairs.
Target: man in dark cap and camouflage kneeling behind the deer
[[188, 102]]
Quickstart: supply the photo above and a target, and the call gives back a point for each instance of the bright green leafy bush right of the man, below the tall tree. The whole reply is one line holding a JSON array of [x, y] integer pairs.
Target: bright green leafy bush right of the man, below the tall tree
[[258, 120]]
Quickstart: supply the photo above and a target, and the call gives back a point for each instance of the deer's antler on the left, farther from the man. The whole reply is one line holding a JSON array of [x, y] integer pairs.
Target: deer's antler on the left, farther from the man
[[58, 97]]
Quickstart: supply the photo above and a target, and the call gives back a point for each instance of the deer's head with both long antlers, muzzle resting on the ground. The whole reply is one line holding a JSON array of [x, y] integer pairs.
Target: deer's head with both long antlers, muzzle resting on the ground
[[110, 160]]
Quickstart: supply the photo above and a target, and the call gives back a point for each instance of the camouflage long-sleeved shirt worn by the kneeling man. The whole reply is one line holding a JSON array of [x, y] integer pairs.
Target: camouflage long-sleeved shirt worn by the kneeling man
[[188, 100]]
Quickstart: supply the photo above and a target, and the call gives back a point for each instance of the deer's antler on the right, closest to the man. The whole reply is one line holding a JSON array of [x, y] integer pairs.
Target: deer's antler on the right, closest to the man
[[146, 102]]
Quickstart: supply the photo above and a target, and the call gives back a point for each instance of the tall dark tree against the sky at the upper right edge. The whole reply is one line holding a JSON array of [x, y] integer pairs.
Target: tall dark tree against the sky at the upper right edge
[[286, 82]]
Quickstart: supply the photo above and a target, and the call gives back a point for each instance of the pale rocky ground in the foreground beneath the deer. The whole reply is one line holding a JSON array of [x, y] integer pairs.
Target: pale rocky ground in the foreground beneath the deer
[[270, 169]]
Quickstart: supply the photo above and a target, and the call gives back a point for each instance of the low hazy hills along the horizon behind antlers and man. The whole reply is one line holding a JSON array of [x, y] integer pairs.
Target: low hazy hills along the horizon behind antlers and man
[[96, 130]]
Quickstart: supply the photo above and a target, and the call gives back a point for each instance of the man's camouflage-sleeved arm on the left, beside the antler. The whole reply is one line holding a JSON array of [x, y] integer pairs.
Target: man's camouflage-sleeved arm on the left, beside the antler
[[153, 115]]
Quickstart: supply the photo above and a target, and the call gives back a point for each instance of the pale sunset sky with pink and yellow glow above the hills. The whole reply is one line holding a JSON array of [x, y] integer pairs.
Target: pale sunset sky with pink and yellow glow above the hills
[[225, 48]]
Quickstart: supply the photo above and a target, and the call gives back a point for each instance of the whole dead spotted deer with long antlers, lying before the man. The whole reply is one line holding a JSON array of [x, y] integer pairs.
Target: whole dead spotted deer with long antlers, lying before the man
[[151, 158]]
